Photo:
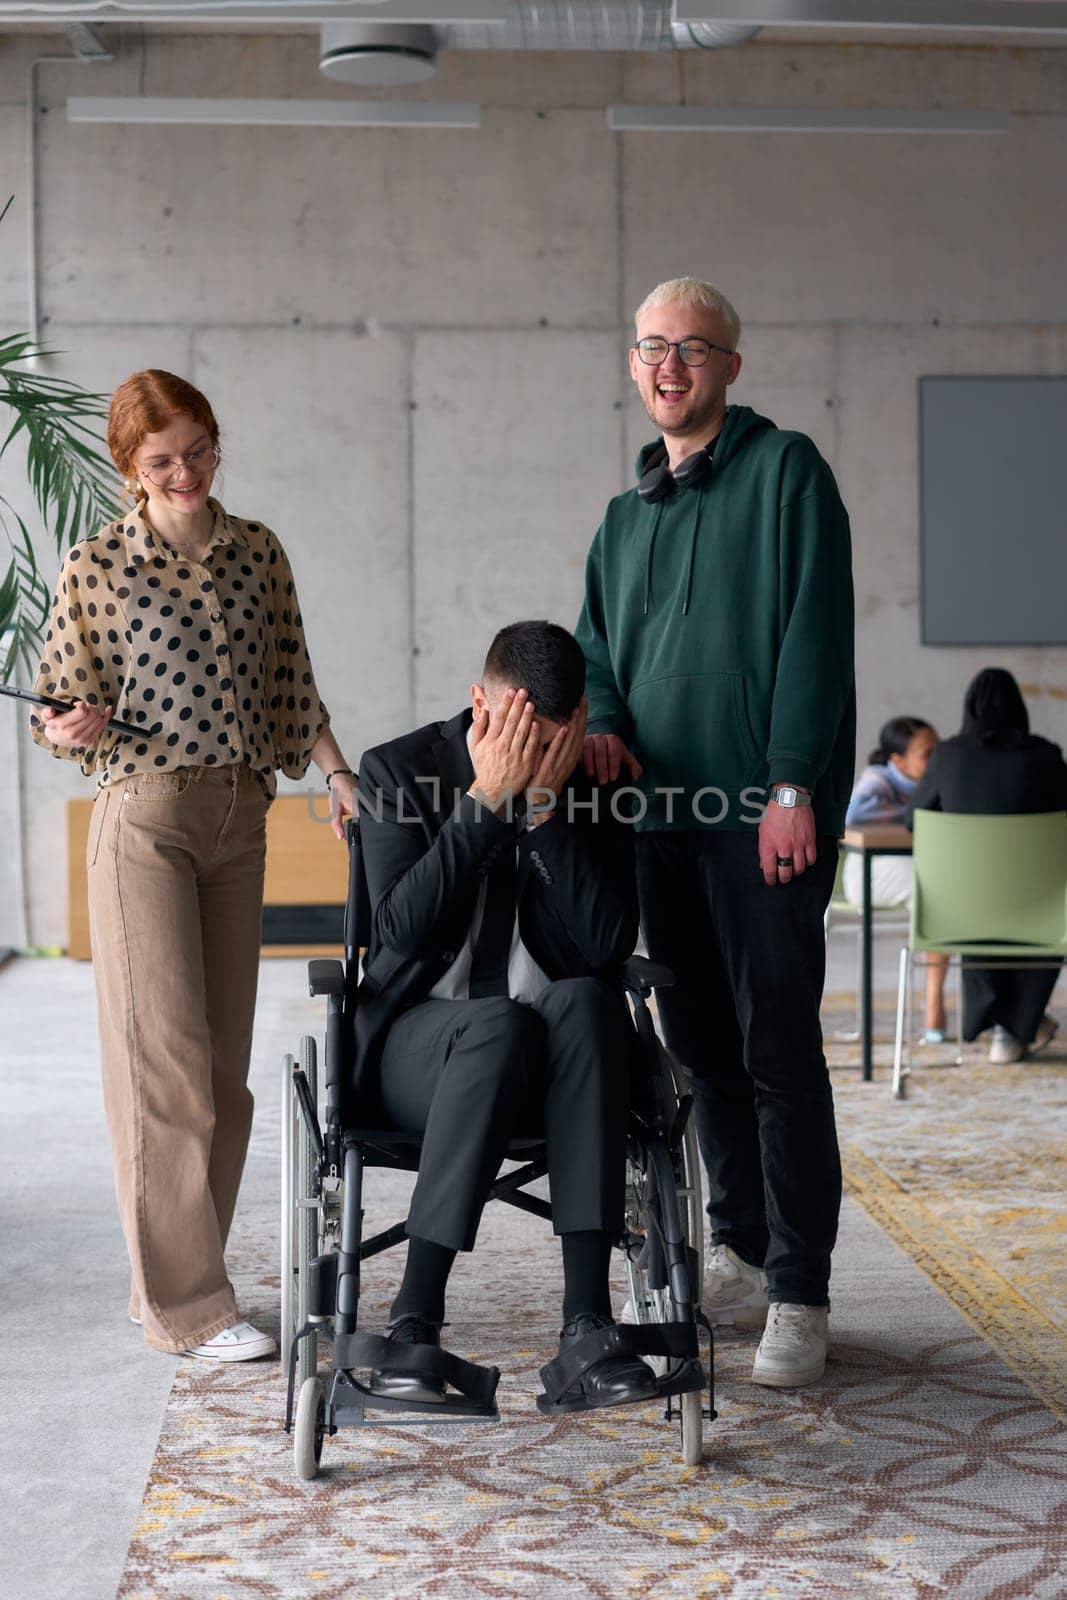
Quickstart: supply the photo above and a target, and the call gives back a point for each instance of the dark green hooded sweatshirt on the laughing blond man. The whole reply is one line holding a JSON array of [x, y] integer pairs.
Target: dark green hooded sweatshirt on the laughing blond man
[[719, 634]]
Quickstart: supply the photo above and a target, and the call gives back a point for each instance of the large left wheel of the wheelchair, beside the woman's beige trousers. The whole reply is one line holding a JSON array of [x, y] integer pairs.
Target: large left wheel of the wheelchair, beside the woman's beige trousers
[[300, 1215]]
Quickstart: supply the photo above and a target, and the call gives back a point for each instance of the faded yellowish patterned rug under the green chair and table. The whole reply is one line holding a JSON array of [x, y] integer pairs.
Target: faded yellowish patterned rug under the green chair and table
[[970, 1177]]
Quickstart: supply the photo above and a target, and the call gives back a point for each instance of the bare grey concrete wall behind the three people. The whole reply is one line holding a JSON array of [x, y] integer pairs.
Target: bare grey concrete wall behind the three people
[[415, 342]]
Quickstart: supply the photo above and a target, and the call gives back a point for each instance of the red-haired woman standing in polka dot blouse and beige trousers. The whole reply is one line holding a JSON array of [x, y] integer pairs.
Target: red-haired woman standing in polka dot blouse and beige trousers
[[185, 622]]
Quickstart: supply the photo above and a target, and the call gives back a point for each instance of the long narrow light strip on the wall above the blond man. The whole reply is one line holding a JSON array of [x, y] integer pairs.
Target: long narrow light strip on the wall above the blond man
[[778, 119]]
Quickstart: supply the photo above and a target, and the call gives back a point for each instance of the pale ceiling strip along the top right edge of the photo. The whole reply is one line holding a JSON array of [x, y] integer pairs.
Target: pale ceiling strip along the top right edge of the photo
[[1041, 17]]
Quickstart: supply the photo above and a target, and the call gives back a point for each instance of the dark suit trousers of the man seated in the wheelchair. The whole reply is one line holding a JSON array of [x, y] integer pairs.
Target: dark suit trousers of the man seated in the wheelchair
[[474, 1074]]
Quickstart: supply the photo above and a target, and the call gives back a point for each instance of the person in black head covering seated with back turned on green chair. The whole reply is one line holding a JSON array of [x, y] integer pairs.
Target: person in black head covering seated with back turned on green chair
[[996, 767]]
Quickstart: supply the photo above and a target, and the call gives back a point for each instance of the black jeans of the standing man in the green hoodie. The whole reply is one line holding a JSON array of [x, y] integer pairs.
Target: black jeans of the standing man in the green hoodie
[[743, 1022]]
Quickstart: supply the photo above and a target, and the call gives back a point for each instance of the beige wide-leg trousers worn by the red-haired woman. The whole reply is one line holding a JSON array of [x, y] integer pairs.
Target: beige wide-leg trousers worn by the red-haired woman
[[175, 871]]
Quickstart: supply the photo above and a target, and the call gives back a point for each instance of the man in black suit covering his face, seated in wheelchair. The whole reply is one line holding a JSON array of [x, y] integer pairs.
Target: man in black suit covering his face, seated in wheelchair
[[503, 894]]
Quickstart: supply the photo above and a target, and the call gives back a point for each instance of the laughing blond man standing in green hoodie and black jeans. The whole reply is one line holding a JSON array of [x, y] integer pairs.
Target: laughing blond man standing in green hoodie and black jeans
[[719, 638]]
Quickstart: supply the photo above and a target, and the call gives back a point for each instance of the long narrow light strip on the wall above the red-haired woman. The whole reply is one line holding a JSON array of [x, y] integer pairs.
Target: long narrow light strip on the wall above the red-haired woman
[[276, 114]]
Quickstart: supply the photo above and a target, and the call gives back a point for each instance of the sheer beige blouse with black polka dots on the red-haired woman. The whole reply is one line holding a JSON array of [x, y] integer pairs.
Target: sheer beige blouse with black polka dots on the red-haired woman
[[207, 657]]
